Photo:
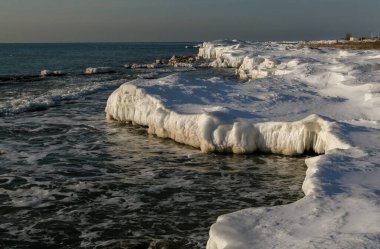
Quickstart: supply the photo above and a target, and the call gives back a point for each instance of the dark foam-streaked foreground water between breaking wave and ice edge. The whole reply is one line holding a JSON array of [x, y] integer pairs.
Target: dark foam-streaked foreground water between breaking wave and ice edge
[[70, 178]]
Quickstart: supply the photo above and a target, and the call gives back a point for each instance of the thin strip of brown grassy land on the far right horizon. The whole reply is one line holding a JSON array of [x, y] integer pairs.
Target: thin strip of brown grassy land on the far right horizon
[[339, 44]]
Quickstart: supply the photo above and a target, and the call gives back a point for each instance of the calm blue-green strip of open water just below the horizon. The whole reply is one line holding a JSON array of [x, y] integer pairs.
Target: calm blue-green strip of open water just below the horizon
[[30, 59]]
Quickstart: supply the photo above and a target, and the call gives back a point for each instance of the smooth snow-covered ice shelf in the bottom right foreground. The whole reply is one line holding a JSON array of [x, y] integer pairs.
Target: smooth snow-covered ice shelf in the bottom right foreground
[[340, 210]]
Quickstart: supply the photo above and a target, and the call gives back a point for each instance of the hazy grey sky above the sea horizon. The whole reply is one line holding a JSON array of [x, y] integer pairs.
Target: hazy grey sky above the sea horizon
[[185, 20]]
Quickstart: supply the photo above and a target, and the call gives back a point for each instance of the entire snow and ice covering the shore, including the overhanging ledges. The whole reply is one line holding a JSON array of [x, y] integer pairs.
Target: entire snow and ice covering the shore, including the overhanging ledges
[[294, 100]]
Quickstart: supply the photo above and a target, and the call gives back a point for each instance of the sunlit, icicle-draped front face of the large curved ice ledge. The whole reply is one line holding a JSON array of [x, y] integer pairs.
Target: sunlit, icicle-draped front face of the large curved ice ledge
[[216, 129]]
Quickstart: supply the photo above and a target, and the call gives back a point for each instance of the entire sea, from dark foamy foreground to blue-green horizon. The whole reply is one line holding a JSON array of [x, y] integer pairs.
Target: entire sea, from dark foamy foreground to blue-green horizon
[[71, 179]]
